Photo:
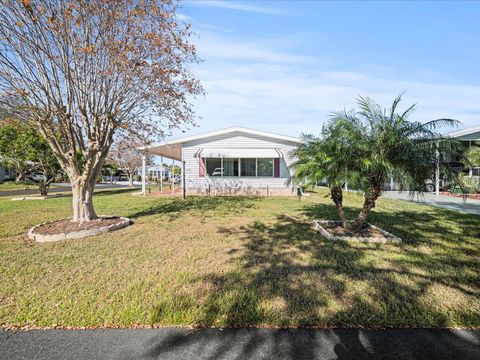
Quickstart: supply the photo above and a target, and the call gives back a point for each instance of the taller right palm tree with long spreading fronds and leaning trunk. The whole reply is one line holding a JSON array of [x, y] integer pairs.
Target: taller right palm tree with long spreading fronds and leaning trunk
[[392, 145]]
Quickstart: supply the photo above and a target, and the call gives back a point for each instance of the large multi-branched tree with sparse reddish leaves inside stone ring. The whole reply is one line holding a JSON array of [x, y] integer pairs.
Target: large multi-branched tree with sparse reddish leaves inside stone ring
[[87, 68]]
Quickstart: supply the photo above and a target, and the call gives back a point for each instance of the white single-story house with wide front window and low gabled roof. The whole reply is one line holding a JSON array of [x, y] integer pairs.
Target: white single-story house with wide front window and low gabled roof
[[231, 161]]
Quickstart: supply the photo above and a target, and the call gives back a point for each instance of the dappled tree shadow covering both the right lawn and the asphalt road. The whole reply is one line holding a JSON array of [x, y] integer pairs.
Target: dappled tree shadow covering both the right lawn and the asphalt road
[[286, 274]]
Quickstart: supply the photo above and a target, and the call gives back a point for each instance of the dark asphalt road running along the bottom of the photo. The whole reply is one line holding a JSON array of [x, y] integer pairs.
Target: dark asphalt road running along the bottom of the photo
[[240, 344]]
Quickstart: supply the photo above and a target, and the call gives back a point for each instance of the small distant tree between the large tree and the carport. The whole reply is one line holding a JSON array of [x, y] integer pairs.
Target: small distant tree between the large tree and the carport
[[125, 156]]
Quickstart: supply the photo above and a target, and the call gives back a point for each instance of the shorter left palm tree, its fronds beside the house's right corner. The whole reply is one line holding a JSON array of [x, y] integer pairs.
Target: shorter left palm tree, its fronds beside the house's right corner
[[329, 158]]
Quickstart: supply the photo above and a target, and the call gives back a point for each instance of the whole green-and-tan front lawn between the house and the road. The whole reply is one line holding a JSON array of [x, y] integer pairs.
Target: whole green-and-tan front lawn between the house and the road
[[218, 261]]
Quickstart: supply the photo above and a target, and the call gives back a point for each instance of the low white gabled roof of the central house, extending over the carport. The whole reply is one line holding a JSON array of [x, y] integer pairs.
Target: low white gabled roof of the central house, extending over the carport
[[173, 148]]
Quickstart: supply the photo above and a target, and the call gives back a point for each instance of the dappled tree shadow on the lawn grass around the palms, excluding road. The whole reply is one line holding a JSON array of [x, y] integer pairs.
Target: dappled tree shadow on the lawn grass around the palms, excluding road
[[286, 274]]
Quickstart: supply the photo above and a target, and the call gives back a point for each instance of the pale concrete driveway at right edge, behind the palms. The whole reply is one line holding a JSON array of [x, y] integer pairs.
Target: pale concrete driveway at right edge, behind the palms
[[471, 206]]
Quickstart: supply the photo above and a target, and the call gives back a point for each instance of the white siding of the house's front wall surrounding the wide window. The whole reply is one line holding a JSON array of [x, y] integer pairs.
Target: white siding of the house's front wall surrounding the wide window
[[236, 140]]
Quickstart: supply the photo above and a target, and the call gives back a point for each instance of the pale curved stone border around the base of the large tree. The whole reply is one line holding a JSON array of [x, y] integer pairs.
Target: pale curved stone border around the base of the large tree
[[123, 222]]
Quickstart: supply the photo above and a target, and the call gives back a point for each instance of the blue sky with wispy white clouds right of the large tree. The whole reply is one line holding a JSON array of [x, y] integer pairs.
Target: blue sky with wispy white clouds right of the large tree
[[284, 66]]
